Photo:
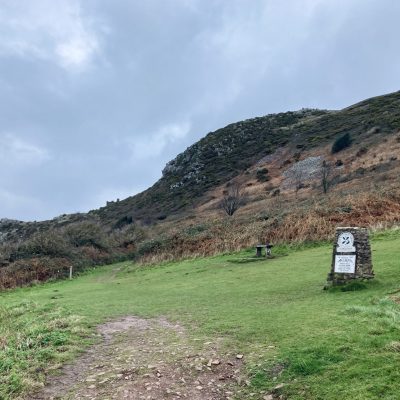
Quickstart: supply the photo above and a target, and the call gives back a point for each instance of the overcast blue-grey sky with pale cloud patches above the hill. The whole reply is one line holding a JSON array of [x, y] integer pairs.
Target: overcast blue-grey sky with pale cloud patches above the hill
[[97, 95]]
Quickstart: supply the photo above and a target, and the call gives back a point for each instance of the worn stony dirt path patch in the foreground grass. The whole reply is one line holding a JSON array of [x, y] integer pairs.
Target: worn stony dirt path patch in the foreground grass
[[147, 359]]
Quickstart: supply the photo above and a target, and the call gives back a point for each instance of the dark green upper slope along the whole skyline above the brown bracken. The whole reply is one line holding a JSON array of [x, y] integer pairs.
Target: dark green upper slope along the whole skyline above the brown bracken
[[231, 151]]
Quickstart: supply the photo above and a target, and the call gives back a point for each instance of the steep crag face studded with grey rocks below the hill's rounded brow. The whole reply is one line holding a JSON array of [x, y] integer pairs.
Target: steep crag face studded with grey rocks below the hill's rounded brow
[[221, 154]]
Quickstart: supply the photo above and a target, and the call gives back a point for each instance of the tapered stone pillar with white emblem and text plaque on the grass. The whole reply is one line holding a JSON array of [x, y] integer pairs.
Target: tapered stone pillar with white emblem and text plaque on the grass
[[351, 256]]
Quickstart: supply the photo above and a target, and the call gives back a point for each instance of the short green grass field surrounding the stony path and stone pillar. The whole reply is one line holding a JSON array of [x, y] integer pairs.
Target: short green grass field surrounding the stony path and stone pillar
[[327, 344]]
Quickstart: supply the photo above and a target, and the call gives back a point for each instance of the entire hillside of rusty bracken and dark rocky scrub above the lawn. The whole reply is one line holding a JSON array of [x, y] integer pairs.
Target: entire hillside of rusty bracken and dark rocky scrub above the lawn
[[277, 161]]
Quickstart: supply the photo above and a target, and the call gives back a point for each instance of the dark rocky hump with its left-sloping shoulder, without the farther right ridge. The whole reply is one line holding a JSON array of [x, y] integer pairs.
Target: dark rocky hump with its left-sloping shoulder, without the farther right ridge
[[214, 160]]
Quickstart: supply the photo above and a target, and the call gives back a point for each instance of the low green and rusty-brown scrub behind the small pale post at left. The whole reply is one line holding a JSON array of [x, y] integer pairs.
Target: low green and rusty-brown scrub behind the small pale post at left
[[49, 254]]
